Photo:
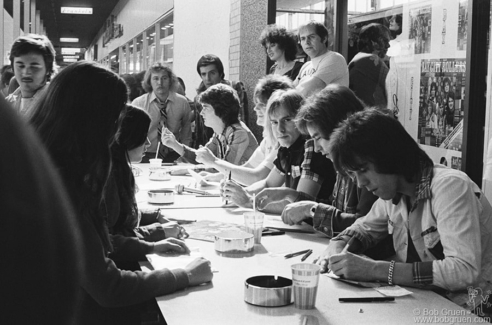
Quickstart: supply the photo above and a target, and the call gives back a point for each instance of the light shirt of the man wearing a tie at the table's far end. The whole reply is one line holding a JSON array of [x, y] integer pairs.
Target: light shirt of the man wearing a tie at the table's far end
[[178, 117]]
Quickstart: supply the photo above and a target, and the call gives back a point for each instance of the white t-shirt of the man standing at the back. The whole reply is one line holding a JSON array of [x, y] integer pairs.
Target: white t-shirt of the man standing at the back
[[330, 67]]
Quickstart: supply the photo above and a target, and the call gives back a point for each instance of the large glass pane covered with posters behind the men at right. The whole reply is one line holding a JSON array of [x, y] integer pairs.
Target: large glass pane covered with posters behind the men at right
[[425, 84]]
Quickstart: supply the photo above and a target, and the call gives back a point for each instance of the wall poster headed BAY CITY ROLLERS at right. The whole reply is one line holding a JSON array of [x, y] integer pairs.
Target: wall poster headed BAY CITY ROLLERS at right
[[441, 111]]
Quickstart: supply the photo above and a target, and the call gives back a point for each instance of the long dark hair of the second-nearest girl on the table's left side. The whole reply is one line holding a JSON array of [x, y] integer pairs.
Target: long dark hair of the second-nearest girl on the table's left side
[[132, 133]]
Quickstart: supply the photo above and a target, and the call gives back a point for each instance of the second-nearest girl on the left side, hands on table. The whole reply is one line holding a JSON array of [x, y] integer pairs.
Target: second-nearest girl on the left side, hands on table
[[129, 235]]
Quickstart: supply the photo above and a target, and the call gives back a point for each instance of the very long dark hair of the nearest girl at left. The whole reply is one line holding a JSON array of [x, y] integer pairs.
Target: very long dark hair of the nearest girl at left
[[77, 120]]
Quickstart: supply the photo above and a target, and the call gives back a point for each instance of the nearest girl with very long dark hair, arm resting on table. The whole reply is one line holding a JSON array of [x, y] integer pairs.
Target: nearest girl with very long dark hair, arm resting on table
[[76, 121]]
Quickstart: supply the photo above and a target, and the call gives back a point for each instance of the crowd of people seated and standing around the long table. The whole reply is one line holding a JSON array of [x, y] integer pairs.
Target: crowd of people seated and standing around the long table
[[331, 155]]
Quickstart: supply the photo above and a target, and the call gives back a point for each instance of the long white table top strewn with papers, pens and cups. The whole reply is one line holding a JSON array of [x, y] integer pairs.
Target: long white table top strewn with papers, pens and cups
[[222, 300]]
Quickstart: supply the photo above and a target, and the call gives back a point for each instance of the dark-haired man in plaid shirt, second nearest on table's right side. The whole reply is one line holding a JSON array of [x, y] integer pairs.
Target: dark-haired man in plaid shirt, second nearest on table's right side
[[318, 117]]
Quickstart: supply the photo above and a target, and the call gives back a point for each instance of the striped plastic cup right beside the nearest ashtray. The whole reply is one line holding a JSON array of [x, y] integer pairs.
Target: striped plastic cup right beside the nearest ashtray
[[305, 278]]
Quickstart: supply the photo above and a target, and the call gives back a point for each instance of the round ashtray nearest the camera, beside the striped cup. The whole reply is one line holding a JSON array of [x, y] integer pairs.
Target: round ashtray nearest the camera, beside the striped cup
[[268, 291]]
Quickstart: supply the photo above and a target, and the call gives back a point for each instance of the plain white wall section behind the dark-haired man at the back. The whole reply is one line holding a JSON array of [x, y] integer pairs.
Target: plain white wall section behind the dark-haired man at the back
[[200, 27]]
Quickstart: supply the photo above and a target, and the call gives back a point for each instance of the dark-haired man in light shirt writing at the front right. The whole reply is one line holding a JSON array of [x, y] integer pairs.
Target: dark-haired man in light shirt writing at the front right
[[440, 221]]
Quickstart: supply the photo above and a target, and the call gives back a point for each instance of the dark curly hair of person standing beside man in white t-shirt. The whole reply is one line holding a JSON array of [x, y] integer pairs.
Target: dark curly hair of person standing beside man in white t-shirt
[[284, 39]]
